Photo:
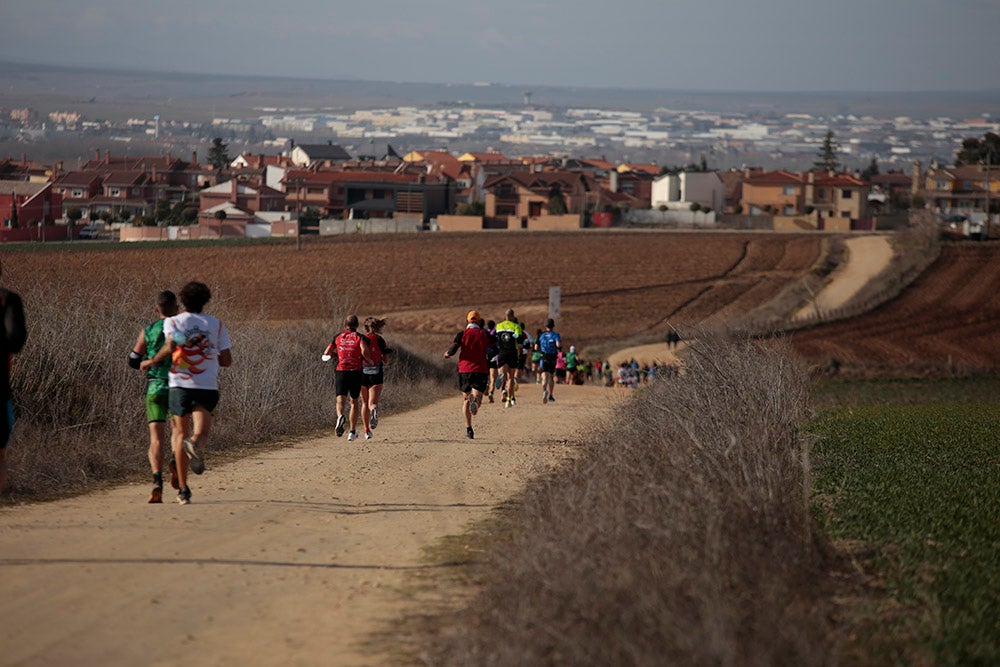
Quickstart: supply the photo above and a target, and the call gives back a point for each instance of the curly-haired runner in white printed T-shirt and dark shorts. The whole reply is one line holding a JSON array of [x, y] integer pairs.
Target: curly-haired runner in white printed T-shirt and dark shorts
[[198, 345]]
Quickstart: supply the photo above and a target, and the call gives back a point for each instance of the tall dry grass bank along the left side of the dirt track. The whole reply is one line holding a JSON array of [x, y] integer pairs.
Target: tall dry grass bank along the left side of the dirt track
[[80, 409]]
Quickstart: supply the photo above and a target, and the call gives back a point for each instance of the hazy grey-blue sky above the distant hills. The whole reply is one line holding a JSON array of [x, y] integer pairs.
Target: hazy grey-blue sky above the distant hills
[[729, 45]]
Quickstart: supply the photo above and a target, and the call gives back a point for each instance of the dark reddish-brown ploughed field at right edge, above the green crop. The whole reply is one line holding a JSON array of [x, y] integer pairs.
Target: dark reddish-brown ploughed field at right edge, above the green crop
[[949, 317]]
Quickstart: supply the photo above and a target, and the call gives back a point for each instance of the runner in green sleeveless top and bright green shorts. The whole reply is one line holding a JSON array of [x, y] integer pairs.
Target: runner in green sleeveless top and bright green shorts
[[146, 346]]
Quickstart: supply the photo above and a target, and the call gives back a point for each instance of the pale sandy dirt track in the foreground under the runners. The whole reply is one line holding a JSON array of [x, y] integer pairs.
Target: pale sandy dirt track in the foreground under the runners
[[288, 558]]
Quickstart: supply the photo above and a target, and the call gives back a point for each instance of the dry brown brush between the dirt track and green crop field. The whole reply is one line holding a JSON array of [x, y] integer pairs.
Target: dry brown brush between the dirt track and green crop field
[[680, 535]]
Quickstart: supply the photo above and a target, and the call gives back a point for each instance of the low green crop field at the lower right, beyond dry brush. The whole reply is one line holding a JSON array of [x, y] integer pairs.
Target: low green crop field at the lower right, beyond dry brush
[[910, 471]]
